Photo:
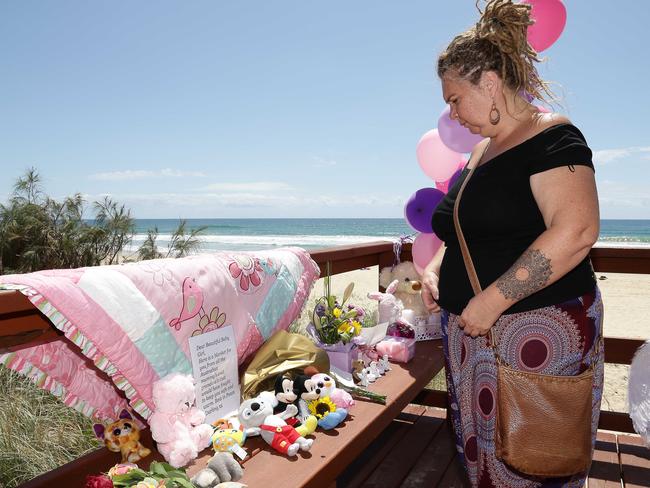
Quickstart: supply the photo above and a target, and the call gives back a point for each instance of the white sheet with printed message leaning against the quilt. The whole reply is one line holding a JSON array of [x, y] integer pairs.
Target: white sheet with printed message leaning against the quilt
[[214, 367]]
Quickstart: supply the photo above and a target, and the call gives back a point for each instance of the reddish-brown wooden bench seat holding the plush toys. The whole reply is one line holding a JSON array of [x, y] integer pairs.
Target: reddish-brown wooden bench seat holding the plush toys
[[331, 452]]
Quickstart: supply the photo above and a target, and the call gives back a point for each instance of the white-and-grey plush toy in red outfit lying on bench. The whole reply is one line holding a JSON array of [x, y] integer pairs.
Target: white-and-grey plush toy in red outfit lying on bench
[[257, 418]]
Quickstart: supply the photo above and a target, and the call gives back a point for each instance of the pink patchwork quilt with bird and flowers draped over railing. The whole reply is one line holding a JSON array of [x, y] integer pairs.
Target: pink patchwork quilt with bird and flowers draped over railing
[[128, 325]]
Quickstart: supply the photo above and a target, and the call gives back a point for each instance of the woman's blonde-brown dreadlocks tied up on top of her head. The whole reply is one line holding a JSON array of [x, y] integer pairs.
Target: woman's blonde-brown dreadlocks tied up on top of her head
[[497, 43]]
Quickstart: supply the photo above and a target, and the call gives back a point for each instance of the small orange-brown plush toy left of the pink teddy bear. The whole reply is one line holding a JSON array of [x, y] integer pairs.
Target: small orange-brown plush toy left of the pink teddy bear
[[122, 436]]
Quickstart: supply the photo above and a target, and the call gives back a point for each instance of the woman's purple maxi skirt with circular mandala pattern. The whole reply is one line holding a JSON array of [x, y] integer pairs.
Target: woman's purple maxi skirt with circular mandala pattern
[[557, 339]]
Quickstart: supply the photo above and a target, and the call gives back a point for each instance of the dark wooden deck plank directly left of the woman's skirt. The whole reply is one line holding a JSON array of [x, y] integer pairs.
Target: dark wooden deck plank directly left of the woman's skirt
[[435, 460]]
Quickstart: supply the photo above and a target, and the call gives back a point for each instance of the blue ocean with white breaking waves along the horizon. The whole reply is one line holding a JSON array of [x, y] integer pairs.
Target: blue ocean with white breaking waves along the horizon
[[256, 234]]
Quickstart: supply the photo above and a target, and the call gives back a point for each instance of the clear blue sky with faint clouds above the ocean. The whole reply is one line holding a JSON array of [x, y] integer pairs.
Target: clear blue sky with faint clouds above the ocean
[[282, 109]]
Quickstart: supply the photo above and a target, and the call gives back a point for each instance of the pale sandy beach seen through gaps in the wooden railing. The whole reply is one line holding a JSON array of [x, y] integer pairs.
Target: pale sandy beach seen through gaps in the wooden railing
[[627, 314]]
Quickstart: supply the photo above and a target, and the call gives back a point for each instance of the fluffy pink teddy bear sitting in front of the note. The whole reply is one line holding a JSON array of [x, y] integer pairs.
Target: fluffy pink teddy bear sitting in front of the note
[[176, 425]]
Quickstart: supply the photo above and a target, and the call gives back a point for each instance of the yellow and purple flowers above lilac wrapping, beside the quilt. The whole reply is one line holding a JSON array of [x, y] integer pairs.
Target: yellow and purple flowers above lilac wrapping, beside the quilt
[[336, 322]]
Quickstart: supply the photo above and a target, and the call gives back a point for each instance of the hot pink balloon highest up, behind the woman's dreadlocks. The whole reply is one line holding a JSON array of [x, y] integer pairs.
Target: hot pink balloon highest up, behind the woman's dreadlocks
[[550, 19]]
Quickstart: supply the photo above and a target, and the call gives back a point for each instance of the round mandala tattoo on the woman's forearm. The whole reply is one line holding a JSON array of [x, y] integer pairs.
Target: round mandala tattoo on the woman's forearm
[[529, 274]]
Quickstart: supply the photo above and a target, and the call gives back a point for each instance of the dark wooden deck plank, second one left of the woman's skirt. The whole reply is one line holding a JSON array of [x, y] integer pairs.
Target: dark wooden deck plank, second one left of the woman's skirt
[[405, 454]]
